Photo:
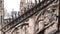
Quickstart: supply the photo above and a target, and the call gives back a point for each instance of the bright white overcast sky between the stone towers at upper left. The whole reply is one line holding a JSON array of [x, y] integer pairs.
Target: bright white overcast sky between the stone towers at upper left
[[11, 4]]
